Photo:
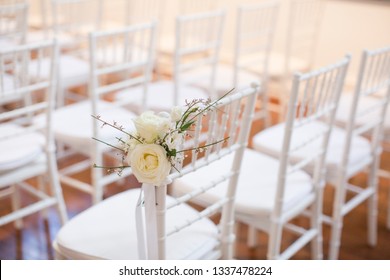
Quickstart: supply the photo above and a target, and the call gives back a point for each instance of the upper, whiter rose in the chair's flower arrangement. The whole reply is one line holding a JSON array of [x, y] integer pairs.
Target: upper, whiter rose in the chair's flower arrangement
[[150, 126]]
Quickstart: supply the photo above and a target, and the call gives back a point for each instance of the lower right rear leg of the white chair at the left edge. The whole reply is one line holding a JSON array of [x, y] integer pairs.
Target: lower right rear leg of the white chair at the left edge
[[56, 187]]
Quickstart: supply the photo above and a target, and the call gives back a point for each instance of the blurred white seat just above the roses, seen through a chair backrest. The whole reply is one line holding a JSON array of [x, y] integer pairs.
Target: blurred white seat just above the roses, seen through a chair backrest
[[160, 95]]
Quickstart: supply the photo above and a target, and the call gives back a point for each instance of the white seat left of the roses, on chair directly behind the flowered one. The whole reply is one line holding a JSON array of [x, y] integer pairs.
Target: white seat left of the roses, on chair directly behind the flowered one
[[73, 124]]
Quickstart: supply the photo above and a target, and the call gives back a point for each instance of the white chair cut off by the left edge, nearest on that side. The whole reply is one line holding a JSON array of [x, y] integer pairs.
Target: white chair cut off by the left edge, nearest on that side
[[27, 150]]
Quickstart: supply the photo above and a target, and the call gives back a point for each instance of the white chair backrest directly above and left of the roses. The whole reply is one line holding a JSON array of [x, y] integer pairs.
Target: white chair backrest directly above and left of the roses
[[121, 59]]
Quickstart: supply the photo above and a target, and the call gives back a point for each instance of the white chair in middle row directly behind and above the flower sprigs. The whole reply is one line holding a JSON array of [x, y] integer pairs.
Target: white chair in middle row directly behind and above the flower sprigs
[[195, 49]]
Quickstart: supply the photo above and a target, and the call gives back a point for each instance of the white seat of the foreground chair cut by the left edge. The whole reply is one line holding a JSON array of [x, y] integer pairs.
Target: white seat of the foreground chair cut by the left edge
[[19, 150]]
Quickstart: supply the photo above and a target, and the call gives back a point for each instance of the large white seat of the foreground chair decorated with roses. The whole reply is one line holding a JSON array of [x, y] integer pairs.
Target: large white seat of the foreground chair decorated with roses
[[113, 220]]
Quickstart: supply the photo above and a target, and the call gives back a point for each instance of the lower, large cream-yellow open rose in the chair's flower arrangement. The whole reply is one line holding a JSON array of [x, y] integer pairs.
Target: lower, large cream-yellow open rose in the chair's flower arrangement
[[149, 164]]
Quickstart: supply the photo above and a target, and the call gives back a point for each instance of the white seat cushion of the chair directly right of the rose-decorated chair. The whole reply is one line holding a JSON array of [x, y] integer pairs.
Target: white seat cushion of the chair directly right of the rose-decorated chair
[[256, 187]]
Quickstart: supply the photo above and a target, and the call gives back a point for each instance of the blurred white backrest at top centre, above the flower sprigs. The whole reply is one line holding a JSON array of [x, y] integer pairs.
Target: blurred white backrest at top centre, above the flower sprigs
[[197, 46]]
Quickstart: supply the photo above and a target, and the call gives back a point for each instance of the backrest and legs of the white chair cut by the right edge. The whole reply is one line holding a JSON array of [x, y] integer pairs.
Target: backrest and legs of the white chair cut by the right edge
[[363, 113]]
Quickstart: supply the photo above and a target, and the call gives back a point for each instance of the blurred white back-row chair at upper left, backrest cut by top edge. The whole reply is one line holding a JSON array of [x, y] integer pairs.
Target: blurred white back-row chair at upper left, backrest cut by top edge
[[72, 20]]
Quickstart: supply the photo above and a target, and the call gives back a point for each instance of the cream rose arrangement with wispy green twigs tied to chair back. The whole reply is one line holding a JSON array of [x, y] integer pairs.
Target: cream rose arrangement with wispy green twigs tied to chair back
[[152, 150]]
